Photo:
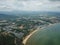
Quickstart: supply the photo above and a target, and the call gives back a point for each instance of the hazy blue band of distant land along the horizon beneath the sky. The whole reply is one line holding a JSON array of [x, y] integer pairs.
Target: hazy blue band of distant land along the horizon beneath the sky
[[19, 13]]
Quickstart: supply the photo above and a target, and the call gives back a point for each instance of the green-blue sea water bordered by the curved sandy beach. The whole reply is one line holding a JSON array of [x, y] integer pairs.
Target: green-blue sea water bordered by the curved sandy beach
[[47, 36]]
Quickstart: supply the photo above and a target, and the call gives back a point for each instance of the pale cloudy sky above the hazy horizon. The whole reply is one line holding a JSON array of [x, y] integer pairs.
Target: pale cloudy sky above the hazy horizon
[[30, 5]]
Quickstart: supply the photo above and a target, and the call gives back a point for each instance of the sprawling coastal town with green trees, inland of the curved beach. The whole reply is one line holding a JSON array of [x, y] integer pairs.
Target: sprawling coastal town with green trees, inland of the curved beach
[[16, 30]]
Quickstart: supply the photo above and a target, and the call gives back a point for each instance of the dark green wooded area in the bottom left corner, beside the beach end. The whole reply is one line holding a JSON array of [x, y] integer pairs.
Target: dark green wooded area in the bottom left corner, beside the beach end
[[7, 38]]
